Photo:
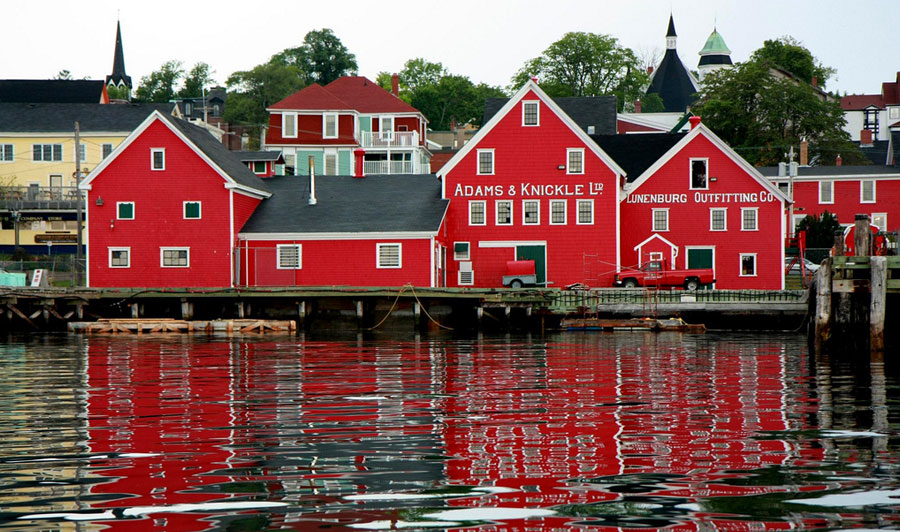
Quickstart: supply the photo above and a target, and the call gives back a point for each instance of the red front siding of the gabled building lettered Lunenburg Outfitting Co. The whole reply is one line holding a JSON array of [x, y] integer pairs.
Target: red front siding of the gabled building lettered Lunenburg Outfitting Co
[[689, 221]]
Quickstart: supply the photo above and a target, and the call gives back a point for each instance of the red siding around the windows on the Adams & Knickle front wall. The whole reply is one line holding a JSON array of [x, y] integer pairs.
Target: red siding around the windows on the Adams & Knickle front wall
[[525, 156]]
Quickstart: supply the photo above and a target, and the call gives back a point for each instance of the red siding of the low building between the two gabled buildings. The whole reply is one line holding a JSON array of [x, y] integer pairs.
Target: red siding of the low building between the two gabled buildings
[[337, 262]]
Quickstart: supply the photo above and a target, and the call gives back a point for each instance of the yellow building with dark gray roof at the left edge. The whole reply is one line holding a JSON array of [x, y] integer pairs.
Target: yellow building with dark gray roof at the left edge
[[37, 165]]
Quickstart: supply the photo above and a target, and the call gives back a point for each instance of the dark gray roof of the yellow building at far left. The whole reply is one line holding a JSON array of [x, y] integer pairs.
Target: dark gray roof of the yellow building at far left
[[61, 117]]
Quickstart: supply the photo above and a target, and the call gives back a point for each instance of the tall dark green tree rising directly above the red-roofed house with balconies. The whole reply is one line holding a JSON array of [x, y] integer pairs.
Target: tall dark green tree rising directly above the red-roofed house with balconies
[[322, 58]]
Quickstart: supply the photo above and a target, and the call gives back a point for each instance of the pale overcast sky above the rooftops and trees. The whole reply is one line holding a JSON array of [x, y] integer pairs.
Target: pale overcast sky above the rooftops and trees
[[486, 40]]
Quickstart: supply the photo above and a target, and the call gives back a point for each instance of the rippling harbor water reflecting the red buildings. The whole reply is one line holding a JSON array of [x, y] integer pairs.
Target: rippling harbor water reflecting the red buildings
[[569, 431]]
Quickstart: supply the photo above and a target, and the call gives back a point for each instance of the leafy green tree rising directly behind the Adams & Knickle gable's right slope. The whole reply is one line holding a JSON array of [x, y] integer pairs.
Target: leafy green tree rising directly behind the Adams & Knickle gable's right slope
[[586, 64]]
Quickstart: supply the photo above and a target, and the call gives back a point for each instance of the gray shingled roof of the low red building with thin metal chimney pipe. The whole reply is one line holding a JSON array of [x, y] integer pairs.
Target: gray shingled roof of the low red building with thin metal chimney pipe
[[374, 204]]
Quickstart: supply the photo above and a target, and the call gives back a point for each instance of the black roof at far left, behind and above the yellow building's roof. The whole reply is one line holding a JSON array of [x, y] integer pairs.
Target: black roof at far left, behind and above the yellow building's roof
[[50, 91]]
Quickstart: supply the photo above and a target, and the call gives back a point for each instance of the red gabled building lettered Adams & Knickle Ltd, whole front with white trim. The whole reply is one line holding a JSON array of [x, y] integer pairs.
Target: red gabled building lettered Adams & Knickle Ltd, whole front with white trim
[[532, 185]]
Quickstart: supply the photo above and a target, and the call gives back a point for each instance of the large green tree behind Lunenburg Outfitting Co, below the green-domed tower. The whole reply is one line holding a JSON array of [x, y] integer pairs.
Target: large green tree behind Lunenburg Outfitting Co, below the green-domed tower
[[761, 115]]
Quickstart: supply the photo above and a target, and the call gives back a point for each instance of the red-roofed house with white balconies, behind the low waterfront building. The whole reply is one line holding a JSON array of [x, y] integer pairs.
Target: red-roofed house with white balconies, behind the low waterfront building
[[350, 127]]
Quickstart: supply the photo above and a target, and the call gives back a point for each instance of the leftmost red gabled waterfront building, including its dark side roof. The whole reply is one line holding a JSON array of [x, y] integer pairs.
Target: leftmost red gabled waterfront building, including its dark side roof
[[165, 207]]
